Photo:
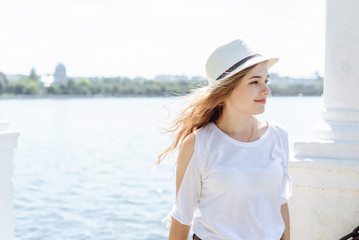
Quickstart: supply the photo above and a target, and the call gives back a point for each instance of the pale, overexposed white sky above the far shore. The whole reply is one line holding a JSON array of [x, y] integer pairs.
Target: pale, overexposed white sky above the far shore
[[145, 38]]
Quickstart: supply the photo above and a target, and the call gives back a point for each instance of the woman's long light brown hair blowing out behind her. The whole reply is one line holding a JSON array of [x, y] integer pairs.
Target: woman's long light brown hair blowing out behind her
[[205, 105]]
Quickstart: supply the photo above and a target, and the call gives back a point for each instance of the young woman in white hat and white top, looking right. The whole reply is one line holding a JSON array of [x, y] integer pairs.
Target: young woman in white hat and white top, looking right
[[231, 166]]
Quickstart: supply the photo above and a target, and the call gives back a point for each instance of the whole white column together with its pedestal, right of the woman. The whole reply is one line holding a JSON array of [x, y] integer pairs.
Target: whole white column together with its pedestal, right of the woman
[[325, 165]]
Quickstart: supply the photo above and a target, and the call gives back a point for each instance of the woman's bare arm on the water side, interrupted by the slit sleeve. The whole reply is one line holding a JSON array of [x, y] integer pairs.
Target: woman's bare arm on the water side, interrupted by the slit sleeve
[[180, 231]]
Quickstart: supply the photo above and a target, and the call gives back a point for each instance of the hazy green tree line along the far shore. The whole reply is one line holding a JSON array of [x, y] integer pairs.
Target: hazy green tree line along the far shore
[[123, 86]]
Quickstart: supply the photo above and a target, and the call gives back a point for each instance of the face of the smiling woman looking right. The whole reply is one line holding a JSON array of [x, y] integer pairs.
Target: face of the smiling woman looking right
[[252, 87]]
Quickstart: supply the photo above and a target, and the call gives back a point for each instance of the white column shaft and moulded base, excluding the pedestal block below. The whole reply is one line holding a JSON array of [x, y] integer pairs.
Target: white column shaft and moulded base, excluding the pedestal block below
[[337, 134]]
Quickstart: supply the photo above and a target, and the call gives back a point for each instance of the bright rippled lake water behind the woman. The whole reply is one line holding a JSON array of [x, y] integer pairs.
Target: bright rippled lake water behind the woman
[[83, 168]]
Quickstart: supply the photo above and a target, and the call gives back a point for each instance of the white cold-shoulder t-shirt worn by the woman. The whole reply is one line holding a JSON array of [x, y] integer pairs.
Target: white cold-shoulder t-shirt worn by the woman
[[238, 187]]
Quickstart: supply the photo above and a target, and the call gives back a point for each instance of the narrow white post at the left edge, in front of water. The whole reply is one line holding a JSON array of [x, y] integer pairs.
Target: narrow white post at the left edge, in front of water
[[8, 141]]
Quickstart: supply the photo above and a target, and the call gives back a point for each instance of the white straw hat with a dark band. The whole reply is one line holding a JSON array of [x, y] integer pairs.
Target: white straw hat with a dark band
[[232, 58]]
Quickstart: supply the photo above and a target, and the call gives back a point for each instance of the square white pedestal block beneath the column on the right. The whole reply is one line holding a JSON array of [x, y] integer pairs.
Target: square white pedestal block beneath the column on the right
[[325, 201]]
